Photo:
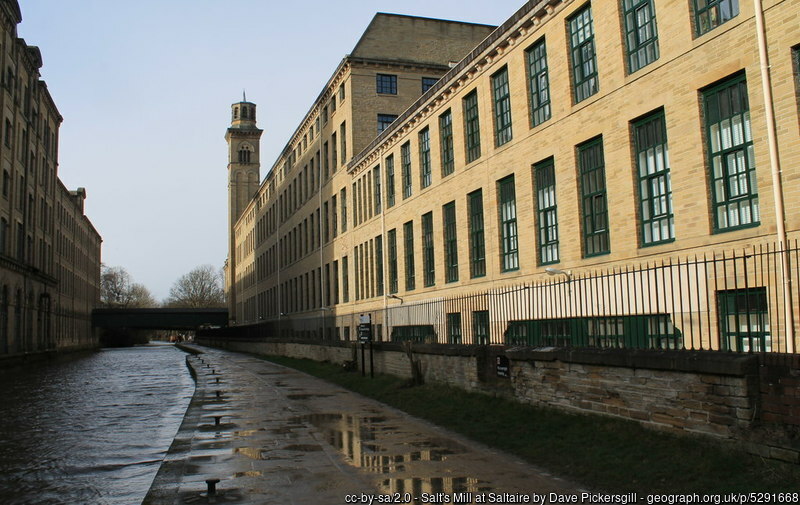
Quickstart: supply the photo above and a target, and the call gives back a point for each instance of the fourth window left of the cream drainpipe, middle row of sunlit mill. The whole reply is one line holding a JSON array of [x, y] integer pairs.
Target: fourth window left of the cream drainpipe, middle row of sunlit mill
[[546, 211]]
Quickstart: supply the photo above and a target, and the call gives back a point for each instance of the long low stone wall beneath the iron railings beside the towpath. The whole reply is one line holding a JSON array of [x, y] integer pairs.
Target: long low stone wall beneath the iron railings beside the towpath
[[750, 399]]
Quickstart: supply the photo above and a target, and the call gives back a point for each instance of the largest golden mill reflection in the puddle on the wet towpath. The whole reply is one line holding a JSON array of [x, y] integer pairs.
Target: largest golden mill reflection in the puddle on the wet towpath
[[371, 444]]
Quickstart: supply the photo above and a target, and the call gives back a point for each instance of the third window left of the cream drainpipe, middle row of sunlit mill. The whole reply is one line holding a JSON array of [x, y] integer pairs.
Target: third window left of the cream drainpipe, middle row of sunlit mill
[[594, 203]]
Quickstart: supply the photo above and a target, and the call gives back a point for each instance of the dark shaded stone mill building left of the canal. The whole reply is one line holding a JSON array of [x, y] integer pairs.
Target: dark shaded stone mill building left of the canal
[[49, 250]]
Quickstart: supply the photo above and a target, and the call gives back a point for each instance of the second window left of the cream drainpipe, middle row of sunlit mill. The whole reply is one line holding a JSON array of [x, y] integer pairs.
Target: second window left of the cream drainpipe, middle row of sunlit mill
[[657, 223]]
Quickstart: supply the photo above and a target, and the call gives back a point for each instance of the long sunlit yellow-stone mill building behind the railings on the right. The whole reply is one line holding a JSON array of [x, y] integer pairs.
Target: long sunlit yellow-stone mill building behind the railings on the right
[[580, 140]]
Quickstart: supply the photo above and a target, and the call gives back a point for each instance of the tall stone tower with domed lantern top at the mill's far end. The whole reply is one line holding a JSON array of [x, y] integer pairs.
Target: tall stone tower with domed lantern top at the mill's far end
[[244, 176]]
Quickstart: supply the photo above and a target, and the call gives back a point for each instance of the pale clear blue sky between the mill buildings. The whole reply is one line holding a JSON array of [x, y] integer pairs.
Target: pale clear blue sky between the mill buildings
[[145, 89]]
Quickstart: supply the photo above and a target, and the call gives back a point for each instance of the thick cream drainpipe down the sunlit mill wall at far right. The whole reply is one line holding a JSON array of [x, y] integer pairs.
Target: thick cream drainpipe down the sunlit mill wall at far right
[[774, 161]]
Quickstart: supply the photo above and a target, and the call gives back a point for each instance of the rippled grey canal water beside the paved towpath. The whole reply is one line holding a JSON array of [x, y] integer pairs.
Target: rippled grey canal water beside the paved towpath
[[91, 429]]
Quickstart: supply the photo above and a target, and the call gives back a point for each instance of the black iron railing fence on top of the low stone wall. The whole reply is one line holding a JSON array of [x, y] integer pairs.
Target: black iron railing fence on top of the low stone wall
[[737, 301]]
